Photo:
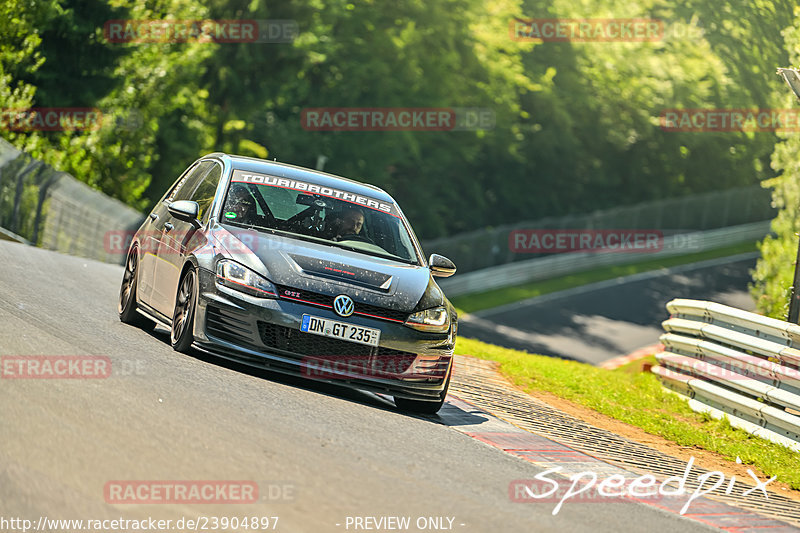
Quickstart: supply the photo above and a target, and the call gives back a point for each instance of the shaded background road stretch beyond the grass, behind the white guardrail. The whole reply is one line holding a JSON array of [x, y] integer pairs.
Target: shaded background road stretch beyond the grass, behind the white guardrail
[[604, 320]]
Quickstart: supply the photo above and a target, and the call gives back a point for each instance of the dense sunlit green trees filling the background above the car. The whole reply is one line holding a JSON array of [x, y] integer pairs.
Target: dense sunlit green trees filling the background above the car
[[577, 124]]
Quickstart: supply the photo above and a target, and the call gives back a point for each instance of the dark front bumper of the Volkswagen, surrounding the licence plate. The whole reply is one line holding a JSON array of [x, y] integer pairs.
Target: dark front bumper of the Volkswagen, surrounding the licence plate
[[266, 333]]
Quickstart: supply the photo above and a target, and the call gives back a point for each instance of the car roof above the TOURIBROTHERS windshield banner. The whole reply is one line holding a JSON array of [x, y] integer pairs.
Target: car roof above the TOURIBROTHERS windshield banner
[[284, 170]]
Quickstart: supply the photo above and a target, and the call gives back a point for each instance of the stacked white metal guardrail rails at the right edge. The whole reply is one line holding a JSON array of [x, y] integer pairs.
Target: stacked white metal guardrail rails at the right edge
[[734, 363]]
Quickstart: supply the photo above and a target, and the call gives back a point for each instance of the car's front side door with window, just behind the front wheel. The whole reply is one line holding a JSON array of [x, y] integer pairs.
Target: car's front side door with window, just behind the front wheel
[[177, 233]]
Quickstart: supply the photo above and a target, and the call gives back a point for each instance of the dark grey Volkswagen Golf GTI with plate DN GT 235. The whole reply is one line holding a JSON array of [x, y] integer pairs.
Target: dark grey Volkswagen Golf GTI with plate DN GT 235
[[297, 271]]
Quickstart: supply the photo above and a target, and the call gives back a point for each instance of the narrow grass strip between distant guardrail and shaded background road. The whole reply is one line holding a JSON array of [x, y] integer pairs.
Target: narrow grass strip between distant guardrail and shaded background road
[[484, 300]]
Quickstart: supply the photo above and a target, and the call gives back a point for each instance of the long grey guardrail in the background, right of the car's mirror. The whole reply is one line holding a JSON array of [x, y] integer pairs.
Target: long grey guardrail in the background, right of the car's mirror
[[521, 272]]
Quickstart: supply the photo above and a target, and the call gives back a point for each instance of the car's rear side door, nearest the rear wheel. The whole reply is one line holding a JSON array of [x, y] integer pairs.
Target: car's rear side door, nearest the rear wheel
[[151, 238]]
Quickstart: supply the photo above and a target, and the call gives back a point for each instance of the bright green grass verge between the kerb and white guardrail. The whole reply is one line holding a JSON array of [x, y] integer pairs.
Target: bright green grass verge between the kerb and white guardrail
[[639, 400]]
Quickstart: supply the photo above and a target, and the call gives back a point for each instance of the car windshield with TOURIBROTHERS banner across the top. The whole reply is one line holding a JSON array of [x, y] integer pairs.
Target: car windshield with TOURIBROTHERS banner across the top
[[335, 216]]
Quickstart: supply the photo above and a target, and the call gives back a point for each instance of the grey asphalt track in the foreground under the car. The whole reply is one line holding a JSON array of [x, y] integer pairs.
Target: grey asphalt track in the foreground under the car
[[318, 453]]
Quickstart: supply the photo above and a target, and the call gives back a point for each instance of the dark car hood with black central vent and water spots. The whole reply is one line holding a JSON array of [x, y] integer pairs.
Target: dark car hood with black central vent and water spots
[[294, 263]]
